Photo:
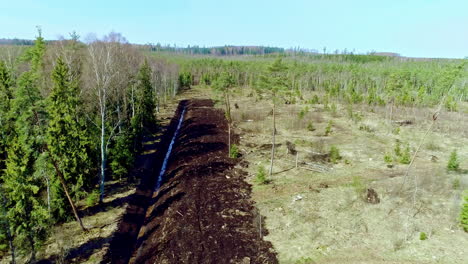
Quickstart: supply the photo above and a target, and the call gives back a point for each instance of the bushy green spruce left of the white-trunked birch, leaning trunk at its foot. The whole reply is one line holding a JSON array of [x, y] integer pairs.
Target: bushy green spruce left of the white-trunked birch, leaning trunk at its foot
[[67, 143]]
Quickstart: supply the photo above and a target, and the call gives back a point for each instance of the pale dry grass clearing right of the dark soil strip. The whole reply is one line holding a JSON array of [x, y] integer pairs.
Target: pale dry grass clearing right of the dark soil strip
[[321, 217]]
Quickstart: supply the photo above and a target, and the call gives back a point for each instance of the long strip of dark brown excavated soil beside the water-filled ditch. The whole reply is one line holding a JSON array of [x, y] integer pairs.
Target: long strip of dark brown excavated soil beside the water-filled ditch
[[202, 213]]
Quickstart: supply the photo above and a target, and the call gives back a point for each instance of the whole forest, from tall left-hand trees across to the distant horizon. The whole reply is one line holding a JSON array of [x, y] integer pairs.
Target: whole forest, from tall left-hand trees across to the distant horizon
[[73, 114]]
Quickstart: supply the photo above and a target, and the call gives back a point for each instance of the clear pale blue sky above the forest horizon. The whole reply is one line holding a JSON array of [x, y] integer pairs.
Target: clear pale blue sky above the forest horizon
[[414, 28]]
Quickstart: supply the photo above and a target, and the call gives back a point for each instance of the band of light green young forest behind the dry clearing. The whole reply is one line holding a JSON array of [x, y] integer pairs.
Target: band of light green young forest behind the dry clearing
[[369, 79]]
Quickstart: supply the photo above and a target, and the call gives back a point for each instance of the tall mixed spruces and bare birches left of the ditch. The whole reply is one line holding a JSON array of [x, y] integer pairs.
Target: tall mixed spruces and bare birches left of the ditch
[[72, 116]]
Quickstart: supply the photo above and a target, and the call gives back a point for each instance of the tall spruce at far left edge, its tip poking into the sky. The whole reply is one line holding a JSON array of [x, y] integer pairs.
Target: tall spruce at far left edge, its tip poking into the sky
[[27, 215]]
